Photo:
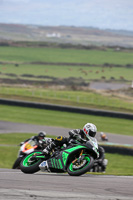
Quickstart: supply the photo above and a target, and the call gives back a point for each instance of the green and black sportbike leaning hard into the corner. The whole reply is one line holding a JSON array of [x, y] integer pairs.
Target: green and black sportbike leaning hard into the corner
[[76, 159]]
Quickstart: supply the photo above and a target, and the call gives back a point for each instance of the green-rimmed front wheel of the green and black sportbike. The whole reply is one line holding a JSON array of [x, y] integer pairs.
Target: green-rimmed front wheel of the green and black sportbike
[[79, 168]]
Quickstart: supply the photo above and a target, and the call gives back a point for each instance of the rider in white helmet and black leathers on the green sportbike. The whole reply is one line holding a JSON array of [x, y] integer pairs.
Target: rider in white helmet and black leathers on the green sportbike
[[89, 131]]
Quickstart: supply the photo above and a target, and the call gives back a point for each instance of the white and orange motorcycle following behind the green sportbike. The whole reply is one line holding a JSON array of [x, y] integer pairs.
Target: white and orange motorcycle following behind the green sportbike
[[26, 148]]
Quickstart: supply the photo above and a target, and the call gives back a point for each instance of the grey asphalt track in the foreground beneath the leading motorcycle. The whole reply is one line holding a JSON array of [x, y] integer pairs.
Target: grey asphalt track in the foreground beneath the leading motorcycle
[[15, 185]]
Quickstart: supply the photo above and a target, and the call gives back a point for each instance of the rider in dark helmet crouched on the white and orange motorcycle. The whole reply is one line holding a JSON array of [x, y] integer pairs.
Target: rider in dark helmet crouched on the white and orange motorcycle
[[40, 139]]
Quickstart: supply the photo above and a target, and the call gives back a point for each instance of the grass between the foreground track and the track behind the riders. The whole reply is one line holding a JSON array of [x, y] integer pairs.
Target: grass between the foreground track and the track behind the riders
[[117, 164]]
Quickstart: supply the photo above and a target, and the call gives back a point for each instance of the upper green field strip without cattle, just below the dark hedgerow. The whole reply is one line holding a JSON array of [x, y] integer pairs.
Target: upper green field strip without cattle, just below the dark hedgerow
[[99, 57]]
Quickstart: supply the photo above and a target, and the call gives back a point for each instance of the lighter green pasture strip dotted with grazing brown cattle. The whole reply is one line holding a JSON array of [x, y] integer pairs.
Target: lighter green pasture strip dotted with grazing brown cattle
[[86, 73]]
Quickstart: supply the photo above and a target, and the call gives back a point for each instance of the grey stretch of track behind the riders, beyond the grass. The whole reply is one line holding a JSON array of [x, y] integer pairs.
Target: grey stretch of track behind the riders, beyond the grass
[[11, 127]]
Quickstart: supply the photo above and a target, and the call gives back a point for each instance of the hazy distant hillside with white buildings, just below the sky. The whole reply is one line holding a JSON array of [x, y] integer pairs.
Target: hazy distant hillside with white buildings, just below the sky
[[66, 35]]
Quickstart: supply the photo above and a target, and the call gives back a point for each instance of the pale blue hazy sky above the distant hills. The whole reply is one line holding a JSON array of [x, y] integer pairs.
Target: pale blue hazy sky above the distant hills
[[102, 14]]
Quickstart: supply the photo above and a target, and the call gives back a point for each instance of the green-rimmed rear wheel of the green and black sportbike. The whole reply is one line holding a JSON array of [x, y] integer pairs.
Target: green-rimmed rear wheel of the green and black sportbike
[[29, 165]]
